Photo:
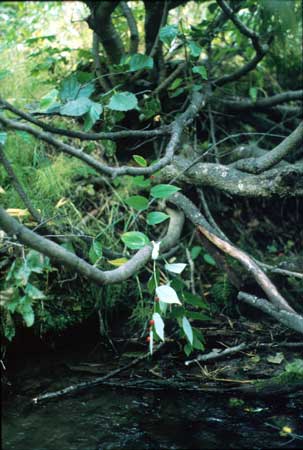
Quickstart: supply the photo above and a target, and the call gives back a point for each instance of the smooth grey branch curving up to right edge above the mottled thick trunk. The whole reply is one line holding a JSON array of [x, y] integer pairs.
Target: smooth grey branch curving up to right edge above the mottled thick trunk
[[270, 159]]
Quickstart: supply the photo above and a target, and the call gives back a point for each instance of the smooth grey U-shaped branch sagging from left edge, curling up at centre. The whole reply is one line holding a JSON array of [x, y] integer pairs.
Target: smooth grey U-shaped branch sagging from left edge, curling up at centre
[[24, 235]]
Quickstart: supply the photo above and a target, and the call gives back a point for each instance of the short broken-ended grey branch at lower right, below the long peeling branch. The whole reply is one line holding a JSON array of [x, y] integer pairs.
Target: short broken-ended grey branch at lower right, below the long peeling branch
[[290, 319]]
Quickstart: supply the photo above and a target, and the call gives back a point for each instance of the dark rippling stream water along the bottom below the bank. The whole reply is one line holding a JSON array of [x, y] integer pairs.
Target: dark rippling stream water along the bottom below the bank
[[106, 418]]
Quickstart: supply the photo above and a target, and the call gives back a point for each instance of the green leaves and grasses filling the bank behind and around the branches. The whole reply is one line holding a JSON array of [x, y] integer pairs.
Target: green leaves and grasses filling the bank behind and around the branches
[[52, 75]]
